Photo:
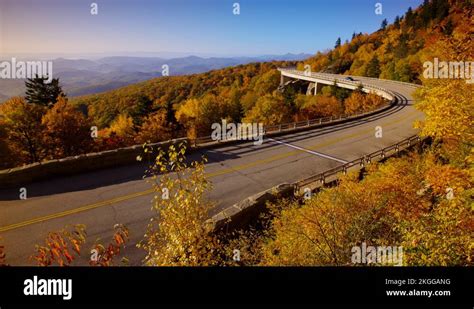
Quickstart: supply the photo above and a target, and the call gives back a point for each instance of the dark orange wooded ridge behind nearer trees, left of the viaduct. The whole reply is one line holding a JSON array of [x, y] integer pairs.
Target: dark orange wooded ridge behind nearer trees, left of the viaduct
[[168, 93]]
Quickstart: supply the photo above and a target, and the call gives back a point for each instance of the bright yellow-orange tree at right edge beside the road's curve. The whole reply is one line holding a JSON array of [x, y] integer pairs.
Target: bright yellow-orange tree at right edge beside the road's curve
[[448, 104]]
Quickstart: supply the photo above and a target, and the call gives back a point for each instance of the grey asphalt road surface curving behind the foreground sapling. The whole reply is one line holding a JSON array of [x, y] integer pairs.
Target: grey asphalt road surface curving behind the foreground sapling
[[103, 198]]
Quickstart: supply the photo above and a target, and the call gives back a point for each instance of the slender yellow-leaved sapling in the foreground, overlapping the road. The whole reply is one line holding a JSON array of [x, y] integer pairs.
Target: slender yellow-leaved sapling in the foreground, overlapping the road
[[179, 234]]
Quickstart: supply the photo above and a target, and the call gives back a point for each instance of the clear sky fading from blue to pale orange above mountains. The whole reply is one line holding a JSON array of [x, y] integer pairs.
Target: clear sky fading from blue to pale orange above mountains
[[188, 26]]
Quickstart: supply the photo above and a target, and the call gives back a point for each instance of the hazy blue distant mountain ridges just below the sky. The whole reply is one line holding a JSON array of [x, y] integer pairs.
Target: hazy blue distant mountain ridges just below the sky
[[83, 76]]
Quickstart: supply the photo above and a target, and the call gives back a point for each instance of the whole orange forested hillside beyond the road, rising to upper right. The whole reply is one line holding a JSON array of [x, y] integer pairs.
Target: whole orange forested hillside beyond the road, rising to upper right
[[169, 107]]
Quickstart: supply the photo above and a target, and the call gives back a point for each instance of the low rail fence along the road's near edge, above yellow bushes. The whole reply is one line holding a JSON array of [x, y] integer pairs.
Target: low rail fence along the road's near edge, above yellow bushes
[[360, 162]]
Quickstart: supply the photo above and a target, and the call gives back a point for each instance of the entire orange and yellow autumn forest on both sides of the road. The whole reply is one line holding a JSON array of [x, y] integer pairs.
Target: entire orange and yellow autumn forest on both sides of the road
[[401, 200]]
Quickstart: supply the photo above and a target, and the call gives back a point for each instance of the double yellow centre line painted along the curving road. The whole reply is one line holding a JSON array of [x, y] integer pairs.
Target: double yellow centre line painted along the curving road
[[210, 175]]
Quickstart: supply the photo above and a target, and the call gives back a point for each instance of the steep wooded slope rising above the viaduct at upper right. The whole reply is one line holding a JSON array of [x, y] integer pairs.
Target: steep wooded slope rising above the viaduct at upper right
[[396, 51]]
